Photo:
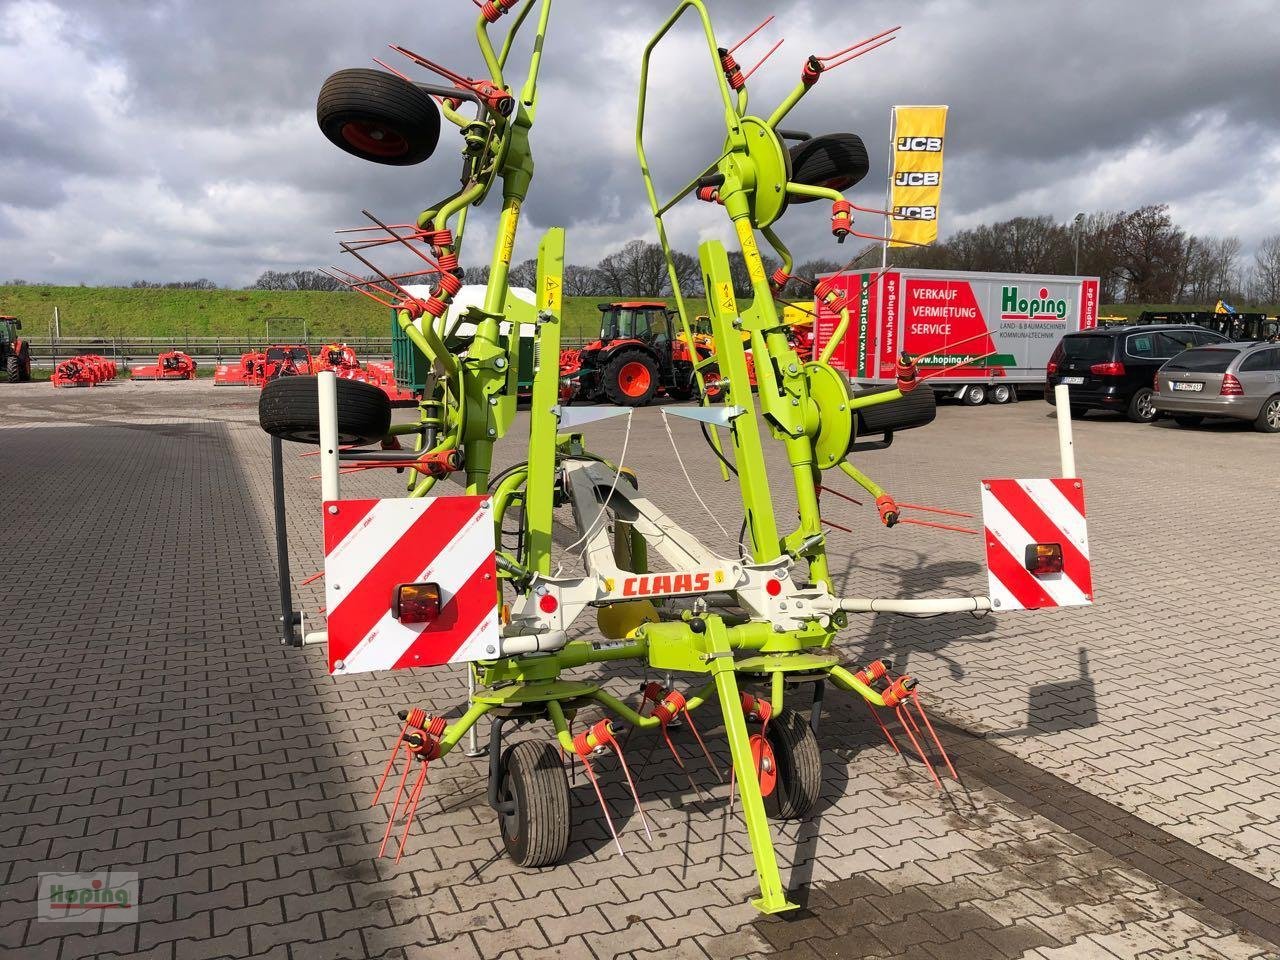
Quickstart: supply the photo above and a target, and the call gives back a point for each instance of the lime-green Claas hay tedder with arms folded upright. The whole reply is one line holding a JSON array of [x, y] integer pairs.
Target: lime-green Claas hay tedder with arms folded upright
[[420, 582]]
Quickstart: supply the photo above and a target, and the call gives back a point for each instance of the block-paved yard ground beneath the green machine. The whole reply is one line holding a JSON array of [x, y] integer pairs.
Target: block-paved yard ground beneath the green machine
[[1119, 764]]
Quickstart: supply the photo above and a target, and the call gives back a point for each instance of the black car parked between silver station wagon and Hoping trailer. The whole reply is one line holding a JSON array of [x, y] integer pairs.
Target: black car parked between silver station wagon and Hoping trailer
[[1114, 368]]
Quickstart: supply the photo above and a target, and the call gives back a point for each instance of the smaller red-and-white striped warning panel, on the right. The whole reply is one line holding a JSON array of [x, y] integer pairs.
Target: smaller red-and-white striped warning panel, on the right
[[1037, 543]]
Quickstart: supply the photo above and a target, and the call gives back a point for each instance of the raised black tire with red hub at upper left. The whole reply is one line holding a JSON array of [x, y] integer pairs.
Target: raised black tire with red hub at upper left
[[378, 117]]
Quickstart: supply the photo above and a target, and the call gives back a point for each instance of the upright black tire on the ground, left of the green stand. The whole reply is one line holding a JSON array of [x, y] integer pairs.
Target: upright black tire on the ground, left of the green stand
[[536, 831]]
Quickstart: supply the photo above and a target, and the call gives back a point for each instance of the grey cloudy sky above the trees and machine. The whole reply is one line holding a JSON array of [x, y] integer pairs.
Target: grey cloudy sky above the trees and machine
[[176, 139]]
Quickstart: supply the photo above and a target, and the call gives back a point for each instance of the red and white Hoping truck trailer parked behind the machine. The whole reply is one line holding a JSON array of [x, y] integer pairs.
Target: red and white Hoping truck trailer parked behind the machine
[[948, 318]]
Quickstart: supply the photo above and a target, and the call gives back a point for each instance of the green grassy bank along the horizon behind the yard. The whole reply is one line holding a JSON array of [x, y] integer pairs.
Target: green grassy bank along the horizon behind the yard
[[120, 312]]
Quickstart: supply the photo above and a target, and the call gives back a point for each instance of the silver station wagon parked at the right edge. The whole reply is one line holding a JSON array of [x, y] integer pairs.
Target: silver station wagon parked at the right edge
[[1240, 381]]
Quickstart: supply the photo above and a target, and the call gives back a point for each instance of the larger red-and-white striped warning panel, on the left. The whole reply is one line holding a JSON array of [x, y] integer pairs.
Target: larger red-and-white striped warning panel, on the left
[[410, 583]]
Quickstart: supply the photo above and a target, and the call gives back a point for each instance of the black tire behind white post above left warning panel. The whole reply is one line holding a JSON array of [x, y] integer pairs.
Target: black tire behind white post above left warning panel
[[290, 409]]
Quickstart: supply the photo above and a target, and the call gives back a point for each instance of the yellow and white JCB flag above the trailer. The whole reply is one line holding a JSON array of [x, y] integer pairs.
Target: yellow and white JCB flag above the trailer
[[916, 173]]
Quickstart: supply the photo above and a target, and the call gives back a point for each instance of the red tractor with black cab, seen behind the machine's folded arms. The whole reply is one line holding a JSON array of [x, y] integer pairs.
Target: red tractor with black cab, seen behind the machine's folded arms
[[636, 358]]
